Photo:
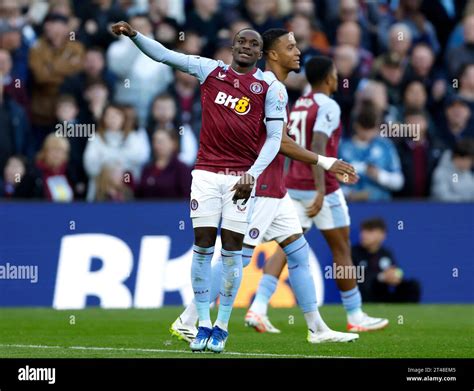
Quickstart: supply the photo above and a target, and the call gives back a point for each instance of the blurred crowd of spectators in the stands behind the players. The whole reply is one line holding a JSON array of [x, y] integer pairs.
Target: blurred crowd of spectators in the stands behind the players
[[84, 115]]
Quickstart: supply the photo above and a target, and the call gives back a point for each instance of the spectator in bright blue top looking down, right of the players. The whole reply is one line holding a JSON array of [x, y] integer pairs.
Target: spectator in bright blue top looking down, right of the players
[[375, 158]]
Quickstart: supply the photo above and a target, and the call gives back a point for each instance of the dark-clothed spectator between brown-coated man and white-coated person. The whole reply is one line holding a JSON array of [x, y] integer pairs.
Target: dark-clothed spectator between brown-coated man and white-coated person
[[94, 70]]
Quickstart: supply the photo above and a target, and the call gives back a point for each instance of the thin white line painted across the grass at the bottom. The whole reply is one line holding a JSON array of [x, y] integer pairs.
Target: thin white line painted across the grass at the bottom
[[165, 351]]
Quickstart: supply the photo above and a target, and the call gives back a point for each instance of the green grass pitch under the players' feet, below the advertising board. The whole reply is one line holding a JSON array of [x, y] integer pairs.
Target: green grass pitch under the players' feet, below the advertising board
[[423, 331]]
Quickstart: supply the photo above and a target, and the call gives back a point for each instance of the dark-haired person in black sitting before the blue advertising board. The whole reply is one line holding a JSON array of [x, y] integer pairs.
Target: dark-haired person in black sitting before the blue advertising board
[[384, 280]]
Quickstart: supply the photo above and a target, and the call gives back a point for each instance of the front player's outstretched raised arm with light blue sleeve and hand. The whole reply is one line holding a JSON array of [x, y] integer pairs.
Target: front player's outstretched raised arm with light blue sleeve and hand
[[199, 67]]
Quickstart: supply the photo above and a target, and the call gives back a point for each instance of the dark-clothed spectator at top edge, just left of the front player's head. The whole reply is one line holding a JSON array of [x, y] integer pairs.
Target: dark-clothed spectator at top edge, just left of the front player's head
[[209, 21]]
